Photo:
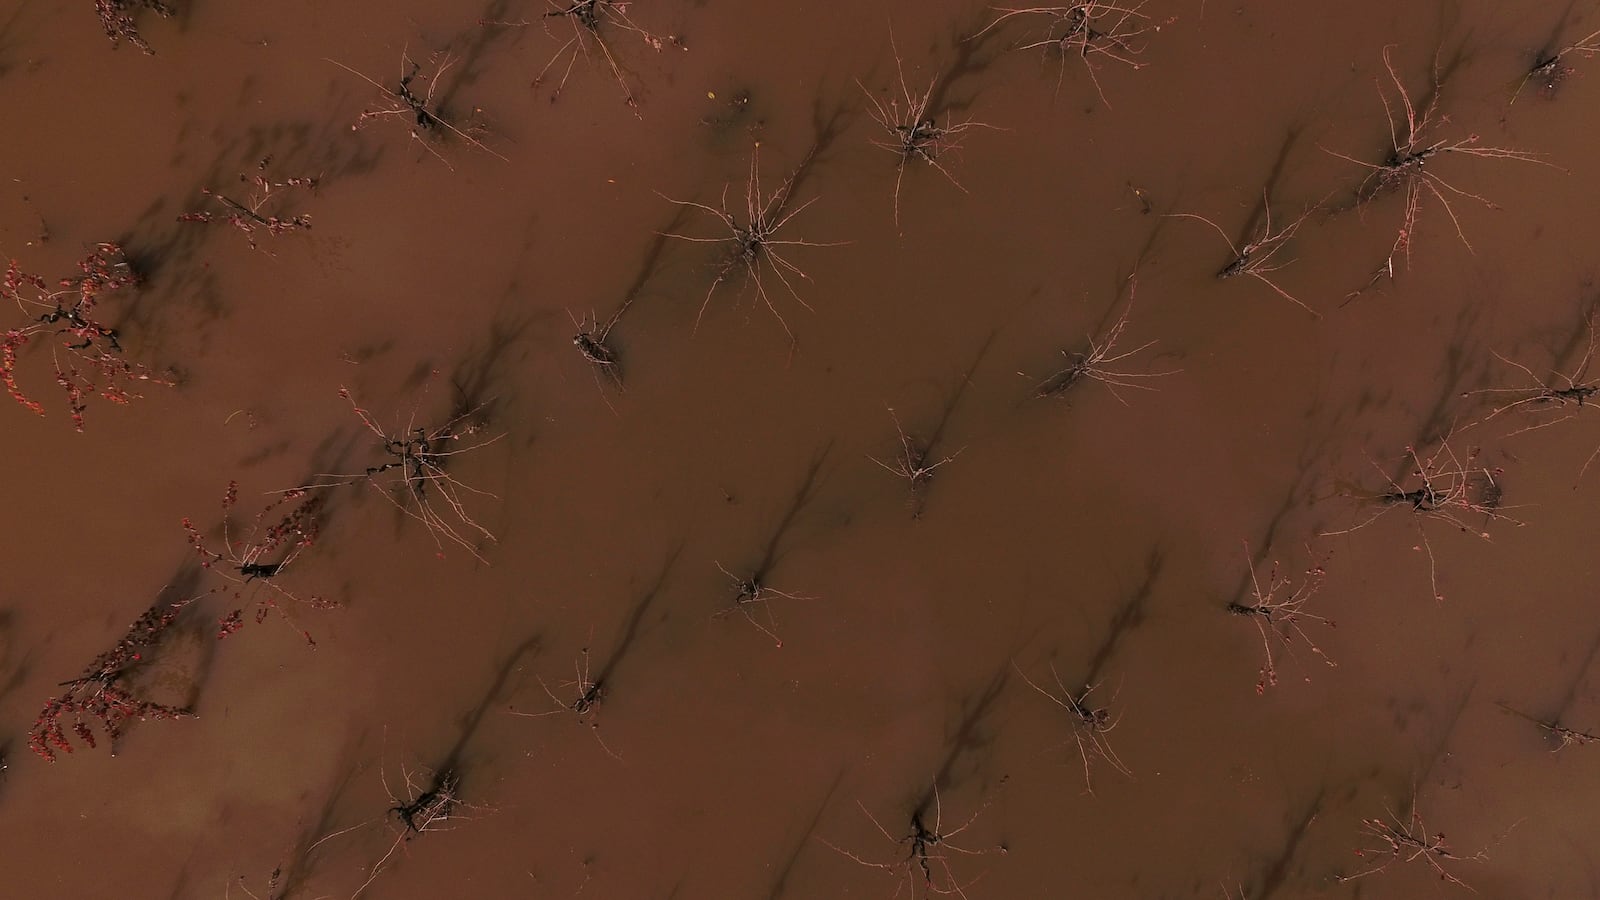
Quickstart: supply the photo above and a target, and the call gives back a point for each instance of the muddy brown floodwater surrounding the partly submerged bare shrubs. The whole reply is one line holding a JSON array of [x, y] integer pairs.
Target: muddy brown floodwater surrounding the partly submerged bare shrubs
[[1100, 536]]
